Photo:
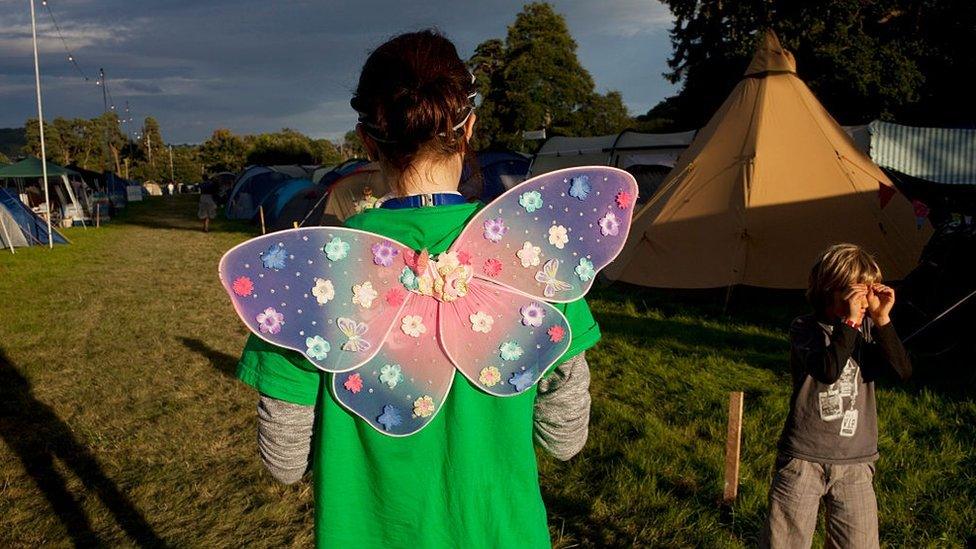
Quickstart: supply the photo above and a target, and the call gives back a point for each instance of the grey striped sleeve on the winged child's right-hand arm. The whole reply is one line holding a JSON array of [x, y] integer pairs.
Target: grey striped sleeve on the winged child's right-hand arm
[[562, 409]]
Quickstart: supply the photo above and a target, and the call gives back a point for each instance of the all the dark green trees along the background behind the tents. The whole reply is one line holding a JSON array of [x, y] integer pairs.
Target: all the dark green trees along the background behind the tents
[[899, 60]]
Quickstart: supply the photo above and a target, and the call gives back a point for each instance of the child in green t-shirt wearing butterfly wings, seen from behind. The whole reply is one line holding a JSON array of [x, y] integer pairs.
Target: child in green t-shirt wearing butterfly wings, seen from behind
[[423, 312]]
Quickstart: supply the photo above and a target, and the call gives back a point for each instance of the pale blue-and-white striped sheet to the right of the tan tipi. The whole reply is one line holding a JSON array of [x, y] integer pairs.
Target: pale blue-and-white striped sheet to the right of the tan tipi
[[944, 155]]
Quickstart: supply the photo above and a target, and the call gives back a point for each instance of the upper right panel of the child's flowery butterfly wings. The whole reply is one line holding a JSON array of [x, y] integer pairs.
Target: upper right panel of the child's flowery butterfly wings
[[549, 236]]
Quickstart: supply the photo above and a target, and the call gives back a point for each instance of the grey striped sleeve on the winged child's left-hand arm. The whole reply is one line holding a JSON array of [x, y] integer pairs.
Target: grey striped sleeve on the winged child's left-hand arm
[[285, 438]]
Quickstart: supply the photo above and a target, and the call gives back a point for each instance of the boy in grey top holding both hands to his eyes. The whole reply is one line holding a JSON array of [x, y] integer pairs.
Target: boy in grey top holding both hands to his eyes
[[830, 441]]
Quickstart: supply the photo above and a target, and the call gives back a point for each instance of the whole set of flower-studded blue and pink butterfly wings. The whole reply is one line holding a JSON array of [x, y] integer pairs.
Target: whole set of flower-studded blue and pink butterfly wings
[[393, 324]]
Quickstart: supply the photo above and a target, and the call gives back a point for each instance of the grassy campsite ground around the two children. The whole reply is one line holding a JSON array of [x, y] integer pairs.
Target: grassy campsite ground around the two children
[[121, 422]]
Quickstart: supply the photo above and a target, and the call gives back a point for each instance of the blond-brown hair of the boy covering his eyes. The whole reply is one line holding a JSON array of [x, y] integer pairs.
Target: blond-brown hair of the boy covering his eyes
[[840, 266]]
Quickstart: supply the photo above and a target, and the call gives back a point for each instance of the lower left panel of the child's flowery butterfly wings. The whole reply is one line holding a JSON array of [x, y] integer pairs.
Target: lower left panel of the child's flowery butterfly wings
[[403, 386]]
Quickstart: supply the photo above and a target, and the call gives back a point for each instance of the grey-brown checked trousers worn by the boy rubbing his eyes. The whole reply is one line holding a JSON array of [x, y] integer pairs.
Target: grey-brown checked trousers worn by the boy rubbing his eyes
[[794, 499]]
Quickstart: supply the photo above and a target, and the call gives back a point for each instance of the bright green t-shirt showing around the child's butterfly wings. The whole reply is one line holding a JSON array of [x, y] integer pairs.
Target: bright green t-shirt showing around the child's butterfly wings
[[468, 479]]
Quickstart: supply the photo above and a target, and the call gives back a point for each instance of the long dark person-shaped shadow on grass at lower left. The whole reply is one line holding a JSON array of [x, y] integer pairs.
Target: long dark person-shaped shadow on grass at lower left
[[38, 436]]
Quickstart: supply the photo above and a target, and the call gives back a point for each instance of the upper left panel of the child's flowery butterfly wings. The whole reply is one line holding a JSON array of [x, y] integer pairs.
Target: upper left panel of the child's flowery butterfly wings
[[329, 293]]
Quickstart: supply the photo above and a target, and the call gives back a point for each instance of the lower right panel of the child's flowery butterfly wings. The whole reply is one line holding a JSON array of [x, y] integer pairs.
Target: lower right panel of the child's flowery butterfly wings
[[501, 339]]
